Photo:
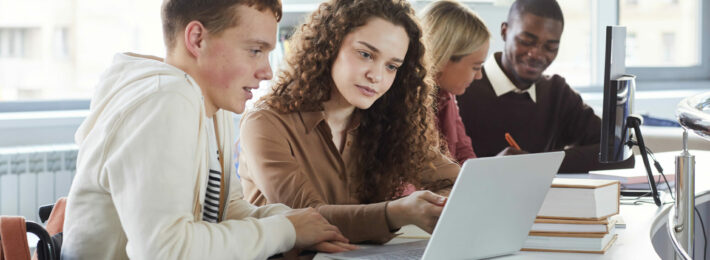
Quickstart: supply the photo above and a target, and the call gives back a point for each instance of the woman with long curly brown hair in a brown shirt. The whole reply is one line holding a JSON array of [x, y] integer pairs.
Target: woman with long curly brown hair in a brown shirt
[[345, 129]]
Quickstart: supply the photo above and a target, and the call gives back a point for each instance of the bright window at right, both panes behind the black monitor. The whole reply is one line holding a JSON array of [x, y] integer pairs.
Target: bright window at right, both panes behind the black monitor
[[663, 40]]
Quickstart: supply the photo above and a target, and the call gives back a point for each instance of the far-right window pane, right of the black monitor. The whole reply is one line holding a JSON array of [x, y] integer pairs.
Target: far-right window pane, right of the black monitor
[[669, 37]]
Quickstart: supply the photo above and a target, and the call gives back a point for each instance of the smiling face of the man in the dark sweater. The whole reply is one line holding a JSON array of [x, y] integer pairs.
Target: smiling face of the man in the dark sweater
[[531, 44]]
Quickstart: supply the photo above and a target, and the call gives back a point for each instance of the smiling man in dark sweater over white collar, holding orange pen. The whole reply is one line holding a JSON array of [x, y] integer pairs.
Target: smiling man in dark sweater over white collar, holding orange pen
[[542, 113]]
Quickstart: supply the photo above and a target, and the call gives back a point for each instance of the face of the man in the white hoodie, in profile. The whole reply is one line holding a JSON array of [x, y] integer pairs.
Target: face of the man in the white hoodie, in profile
[[234, 62]]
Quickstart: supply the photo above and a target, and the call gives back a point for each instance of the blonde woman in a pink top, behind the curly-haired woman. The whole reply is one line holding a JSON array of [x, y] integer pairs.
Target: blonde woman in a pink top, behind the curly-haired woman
[[457, 44]]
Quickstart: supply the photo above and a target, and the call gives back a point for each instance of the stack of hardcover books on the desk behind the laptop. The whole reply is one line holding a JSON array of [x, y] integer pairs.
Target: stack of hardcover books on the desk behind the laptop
[[578, 215]]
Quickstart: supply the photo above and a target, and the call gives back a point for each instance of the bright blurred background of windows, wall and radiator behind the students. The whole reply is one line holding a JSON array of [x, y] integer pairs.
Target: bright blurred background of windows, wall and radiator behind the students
[[52, 53]]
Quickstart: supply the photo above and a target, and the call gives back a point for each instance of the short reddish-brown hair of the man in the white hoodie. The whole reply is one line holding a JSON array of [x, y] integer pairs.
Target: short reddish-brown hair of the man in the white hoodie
[[215, 15]]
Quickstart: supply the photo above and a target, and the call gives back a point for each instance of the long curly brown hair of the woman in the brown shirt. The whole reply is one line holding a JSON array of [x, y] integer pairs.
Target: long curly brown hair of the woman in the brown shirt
[[397, 138]]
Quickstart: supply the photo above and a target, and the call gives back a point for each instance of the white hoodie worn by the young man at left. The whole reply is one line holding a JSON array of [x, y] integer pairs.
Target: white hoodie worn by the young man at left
[[142, 170]]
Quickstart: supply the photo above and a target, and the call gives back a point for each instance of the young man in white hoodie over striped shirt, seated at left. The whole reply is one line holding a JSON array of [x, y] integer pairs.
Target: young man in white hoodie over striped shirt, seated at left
[[154, 172]]
